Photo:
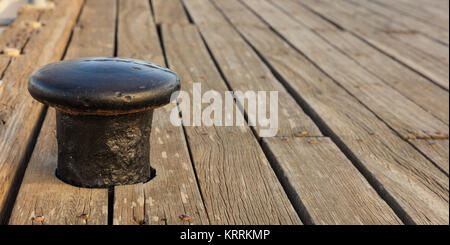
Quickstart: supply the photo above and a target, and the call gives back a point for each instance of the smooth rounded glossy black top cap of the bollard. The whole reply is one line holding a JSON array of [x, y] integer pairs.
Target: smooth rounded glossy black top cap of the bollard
[[103, 86]]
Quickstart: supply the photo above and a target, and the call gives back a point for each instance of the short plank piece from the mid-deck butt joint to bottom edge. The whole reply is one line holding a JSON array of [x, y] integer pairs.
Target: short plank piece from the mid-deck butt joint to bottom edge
[[326, 183]]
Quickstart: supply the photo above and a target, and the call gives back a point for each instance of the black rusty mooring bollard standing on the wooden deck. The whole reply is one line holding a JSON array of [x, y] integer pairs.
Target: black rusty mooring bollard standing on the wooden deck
[[104, 113]]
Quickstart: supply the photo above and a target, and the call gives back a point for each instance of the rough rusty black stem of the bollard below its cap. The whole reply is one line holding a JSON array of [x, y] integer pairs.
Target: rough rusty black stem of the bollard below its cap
[[104, 151]]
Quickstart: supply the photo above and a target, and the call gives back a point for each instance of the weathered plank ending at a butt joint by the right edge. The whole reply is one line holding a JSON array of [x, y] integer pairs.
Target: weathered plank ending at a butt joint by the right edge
[[403, 115]]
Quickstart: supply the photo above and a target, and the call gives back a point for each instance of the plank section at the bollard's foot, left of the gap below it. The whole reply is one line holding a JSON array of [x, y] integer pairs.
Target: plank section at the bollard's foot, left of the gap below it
[[44, 199]]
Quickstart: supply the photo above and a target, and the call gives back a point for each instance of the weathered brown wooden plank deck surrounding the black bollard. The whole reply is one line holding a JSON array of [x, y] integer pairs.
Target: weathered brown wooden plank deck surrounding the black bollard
[[363, 101]]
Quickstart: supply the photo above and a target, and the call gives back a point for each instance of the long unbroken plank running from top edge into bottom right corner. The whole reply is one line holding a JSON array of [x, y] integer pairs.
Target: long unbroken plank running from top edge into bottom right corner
[[281, 61]]
